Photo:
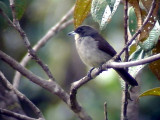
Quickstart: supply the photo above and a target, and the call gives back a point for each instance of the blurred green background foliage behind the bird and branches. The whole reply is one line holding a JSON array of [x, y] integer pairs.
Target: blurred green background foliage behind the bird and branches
[[60, 55]]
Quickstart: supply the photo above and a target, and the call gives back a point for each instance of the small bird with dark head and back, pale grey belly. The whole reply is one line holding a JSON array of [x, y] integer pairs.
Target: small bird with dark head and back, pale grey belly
[[94, 50]]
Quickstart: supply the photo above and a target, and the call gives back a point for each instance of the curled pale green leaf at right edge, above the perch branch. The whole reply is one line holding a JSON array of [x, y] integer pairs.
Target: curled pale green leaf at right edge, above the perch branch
[[152, 40]]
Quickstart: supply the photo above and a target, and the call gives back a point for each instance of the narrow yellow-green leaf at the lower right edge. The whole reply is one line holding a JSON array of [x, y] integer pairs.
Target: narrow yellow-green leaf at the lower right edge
[[151, 92]]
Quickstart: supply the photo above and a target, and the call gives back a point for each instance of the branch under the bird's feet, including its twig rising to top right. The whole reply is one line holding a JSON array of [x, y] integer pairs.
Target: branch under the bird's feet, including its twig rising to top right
[[76, 85]]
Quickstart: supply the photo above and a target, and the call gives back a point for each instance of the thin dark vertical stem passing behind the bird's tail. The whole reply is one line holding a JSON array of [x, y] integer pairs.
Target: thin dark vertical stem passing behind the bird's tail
[[125, 94]]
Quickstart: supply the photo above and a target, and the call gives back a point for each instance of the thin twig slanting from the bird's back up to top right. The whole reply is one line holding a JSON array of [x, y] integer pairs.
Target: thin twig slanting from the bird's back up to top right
[[139, 30]]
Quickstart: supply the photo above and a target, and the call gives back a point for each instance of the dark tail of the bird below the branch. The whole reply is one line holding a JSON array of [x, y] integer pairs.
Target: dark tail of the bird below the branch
[[126, 76]]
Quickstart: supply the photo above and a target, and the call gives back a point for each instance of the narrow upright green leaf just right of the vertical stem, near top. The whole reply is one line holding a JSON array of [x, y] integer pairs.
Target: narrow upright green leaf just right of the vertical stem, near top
[[132, 21]]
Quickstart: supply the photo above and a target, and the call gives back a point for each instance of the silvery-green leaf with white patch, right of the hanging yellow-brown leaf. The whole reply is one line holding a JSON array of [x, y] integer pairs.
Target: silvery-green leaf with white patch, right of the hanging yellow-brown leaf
[[103, 10]]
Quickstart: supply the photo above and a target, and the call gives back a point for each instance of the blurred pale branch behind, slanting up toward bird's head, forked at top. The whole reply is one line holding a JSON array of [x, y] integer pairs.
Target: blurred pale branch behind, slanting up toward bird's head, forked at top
[[63, 23]]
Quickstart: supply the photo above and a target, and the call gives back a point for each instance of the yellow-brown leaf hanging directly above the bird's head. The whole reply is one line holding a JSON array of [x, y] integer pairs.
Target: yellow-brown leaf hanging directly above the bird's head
[[81, 11]]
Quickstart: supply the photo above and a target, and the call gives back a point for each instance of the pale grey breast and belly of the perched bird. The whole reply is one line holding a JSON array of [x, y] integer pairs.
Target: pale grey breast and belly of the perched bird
[[88, 51]]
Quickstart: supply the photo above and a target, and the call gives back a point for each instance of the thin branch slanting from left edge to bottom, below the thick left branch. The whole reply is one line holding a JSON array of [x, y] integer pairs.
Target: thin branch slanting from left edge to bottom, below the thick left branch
[[21, 96]]
